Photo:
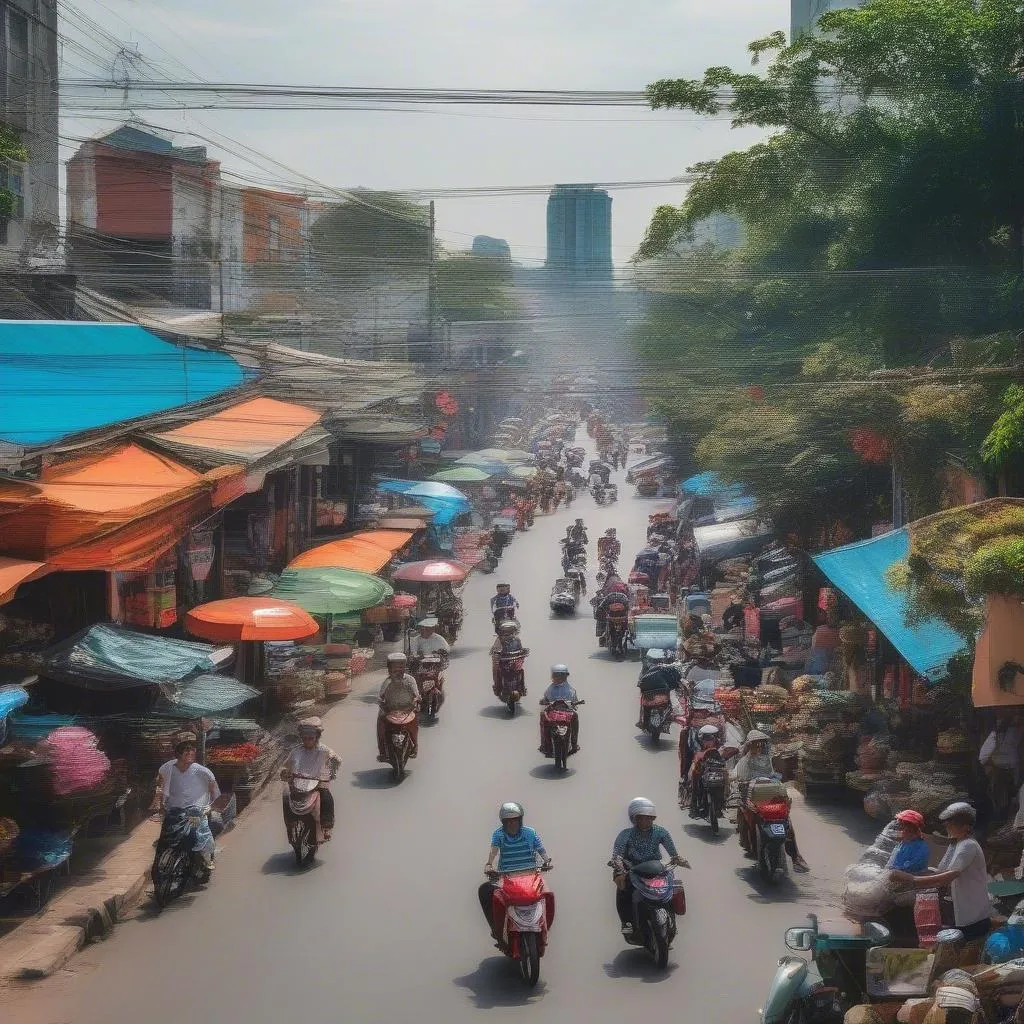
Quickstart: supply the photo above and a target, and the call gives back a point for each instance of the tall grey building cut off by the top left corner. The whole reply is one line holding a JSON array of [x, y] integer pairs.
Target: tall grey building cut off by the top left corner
[[29, 106]]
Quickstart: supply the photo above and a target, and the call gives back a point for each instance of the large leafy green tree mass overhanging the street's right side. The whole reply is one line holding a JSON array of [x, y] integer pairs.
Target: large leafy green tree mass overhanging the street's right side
[[884, 220]]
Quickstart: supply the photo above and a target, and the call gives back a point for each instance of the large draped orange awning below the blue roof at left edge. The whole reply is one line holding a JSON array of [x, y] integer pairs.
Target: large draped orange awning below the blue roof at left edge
[[119, 509]]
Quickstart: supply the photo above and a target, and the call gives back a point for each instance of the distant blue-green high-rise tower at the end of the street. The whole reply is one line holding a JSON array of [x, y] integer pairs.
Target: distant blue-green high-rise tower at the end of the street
[[580, 231]]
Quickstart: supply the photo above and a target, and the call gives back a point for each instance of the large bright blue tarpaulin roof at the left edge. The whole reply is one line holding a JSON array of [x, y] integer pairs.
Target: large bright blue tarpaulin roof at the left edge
[[63, 377]]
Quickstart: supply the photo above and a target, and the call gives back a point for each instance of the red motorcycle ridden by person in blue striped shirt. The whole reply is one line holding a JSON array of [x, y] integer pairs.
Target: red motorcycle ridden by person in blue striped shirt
[[526, 909]]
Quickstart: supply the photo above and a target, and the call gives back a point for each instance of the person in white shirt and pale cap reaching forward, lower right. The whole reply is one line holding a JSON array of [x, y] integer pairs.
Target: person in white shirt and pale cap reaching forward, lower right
[[963, 870]]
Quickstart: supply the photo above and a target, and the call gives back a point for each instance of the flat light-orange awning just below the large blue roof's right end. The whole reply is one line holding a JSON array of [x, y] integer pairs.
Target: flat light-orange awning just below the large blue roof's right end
[[247, 433]]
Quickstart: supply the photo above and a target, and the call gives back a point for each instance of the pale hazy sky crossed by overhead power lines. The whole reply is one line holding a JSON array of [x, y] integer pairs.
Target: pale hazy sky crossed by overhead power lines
[[559, 45]]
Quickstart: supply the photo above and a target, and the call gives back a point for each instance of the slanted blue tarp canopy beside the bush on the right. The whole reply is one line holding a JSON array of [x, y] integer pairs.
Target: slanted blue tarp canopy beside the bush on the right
[[860, 571]]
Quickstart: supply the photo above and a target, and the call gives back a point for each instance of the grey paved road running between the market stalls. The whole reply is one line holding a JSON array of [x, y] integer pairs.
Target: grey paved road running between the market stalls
[[388, 928]]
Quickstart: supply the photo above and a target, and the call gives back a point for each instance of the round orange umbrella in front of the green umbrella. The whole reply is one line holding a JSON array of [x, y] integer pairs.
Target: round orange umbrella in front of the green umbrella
[[248, 622]]
